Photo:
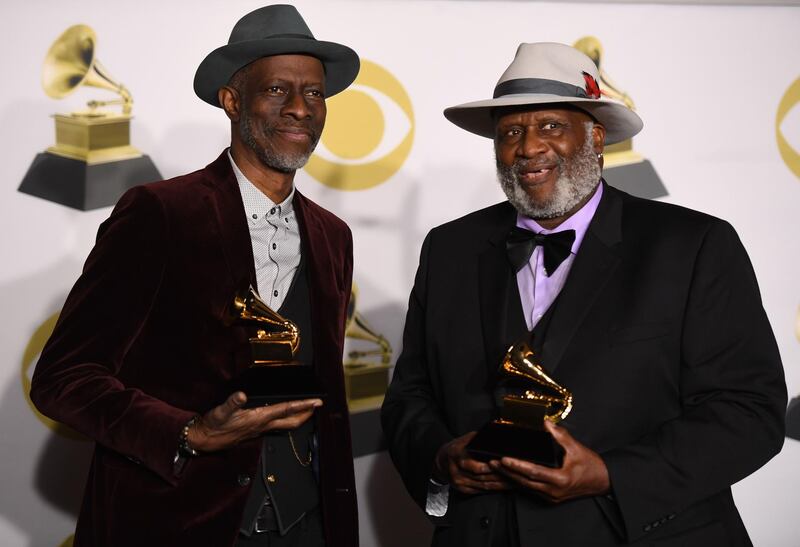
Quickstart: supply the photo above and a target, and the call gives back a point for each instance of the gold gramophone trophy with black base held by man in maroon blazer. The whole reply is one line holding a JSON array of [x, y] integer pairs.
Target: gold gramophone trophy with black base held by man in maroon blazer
[[274, 374]]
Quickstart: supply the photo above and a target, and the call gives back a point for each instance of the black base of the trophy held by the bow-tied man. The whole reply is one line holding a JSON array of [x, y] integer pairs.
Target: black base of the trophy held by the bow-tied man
[[497, 439]]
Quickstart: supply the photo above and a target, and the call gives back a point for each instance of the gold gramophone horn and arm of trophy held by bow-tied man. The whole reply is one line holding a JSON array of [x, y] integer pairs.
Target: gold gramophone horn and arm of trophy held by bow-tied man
[[519, 363]]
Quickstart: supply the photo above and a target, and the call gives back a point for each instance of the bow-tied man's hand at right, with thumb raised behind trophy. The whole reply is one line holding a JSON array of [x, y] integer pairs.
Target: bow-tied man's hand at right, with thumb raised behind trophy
[[583, 472]]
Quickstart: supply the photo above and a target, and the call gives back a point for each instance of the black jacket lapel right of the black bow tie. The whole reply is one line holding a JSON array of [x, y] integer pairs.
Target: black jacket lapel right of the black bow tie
[[596, 261]]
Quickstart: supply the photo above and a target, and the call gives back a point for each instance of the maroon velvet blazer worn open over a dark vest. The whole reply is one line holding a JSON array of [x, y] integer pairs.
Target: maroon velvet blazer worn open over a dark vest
[[140, 348]]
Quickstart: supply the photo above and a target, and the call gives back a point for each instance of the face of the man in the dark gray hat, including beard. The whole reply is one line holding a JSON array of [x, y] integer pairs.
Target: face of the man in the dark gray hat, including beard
[[280, 111]]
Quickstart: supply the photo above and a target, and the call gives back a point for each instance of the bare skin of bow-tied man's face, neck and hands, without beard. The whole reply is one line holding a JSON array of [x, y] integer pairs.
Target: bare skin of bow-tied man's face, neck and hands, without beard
[[540, 135]]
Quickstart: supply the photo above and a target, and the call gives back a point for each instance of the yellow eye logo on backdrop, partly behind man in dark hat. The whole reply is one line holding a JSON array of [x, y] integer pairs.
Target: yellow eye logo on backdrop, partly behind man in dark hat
[[368, 132]]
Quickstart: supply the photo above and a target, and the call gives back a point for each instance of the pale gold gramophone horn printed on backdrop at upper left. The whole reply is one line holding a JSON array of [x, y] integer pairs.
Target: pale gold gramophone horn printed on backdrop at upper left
[[71, 63]]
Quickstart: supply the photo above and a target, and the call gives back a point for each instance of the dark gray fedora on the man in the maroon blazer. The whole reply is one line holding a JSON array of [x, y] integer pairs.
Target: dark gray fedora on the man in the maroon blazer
[[273, 30]]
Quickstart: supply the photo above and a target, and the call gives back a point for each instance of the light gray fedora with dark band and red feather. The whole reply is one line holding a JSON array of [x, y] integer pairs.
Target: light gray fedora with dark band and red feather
[[549, 73]]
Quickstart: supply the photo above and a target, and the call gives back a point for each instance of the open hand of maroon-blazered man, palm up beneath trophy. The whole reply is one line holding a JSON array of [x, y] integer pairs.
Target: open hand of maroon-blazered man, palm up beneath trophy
[[229, 424]]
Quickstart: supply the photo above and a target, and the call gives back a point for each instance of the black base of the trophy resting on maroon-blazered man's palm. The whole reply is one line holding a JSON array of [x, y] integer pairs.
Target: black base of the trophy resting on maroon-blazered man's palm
[[265, 385]]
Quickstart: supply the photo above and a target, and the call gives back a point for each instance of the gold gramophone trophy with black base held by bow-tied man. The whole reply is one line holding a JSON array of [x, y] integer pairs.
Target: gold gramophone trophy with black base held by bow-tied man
[[533, 397]]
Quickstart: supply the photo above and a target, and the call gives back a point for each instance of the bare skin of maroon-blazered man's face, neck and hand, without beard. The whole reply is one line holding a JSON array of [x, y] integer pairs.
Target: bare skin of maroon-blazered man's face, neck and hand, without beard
[[284, 97]]
